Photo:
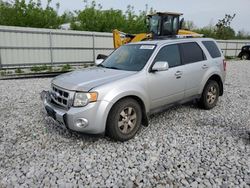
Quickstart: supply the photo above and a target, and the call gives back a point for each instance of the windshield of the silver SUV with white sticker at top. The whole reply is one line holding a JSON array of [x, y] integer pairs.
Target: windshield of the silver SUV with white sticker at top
[[129, 57]]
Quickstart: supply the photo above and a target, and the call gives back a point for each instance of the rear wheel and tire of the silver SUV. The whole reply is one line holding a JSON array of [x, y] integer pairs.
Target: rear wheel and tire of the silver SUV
[[210, 95]]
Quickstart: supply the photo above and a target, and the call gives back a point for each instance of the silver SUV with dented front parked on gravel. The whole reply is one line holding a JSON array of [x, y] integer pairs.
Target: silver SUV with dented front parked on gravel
[[138, 79]]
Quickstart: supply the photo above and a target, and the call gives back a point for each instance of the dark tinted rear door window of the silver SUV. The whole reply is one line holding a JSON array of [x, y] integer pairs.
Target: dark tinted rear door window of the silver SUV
[[192, 53]]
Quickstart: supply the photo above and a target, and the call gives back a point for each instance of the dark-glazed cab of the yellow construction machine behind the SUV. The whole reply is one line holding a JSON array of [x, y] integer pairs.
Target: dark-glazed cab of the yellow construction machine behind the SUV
[[164, 24]]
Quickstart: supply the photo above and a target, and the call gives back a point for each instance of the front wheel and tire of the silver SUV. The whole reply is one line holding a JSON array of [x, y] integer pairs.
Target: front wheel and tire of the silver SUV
[[124, 120]]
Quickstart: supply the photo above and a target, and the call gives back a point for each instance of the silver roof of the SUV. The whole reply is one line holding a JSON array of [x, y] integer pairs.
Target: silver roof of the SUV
[[171, 41]]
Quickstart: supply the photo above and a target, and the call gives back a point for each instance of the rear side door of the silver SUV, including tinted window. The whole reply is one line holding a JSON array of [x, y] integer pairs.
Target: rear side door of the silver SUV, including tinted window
[[195, 66]]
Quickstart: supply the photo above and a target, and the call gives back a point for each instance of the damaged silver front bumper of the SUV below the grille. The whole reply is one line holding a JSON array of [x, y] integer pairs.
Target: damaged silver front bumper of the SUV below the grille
[[95, 113]]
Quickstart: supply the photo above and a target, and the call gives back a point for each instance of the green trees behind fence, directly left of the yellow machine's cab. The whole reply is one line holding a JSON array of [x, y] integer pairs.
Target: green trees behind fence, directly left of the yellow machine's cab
[[94, 18]]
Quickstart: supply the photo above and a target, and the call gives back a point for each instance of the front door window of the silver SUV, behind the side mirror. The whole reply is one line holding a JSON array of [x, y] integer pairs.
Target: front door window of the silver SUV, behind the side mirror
[[171, 54]]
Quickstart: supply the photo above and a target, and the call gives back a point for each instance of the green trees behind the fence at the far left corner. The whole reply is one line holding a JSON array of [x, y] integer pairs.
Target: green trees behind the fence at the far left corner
[[31, 14]]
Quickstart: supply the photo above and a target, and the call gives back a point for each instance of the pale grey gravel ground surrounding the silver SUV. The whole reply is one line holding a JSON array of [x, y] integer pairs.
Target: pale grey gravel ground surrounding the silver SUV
[[183, 146]]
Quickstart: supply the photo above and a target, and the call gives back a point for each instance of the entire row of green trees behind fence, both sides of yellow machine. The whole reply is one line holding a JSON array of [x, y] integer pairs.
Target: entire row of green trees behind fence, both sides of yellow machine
[[94, 18]]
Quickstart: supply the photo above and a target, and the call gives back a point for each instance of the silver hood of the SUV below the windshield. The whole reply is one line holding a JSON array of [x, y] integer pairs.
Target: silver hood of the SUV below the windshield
[[86, 79]]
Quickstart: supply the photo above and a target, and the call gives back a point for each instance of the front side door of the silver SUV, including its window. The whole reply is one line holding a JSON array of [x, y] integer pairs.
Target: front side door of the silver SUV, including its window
[[166, 87]]
